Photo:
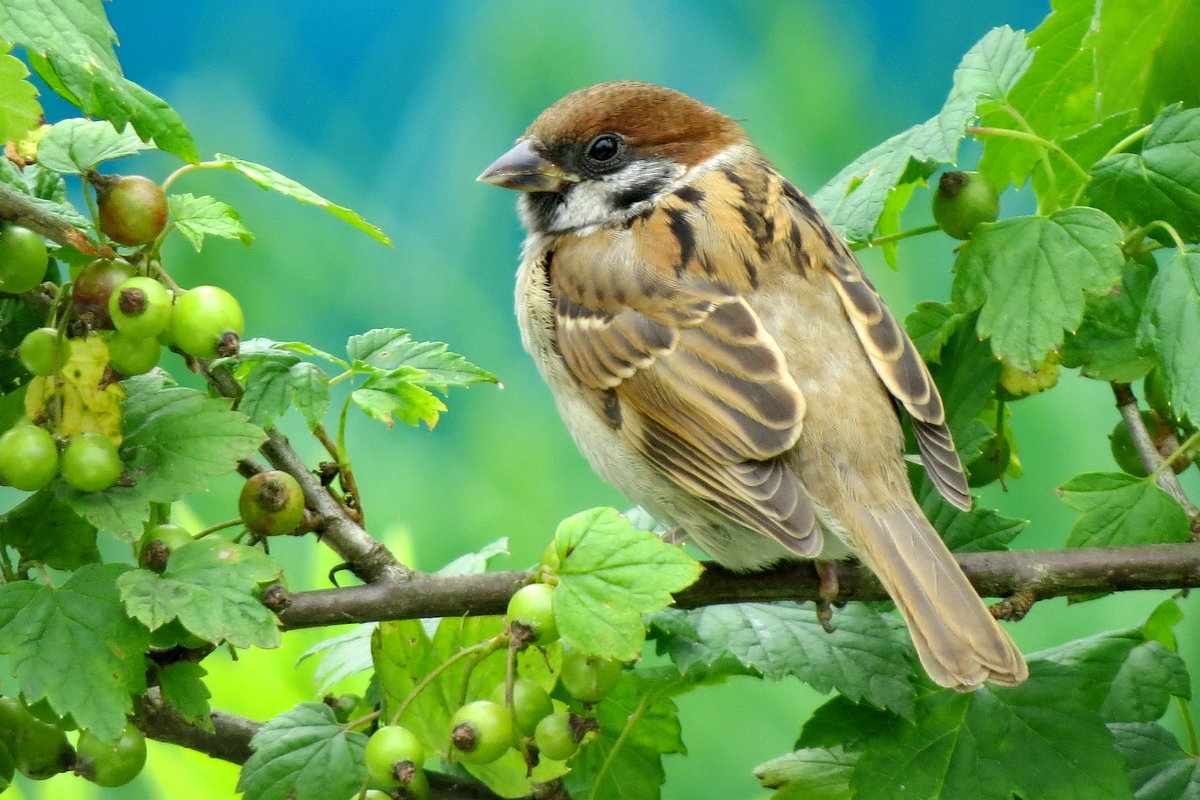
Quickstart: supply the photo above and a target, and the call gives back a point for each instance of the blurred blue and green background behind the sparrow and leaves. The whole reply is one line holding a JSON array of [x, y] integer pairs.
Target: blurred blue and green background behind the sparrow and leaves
[[393, 109]]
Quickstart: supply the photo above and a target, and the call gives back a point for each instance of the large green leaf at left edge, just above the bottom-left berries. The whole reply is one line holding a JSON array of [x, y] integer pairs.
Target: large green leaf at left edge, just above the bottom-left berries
[[75, 647]]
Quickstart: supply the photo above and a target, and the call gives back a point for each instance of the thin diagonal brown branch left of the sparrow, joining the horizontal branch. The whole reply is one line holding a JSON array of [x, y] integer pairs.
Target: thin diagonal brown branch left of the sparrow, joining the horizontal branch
[[365, 556]]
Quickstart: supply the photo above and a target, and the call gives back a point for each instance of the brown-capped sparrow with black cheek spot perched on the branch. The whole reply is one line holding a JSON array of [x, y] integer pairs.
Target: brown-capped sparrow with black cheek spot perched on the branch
[[721, 358]]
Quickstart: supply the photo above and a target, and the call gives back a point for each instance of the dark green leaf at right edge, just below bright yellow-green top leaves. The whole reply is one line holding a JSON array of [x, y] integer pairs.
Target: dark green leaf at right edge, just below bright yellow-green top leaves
[[1161, 183]]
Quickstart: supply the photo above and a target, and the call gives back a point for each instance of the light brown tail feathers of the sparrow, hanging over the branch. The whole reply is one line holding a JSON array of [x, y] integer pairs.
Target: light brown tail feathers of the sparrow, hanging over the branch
[[959, 642]]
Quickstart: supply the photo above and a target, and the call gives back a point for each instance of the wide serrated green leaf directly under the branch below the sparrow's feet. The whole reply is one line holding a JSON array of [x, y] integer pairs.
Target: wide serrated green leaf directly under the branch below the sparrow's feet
[[865, 658]]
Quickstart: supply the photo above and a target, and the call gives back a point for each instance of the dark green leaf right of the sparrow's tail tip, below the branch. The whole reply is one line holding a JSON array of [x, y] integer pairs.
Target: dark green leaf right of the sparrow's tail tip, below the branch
[[1130, 679]]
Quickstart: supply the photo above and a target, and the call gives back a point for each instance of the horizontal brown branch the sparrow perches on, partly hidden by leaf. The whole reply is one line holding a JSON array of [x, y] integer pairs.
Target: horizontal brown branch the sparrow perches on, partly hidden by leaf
[[1037, 574]]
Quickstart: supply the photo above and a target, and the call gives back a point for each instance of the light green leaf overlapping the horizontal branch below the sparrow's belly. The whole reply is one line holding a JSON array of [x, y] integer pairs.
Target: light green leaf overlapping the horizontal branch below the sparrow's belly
[[610, 575]]
